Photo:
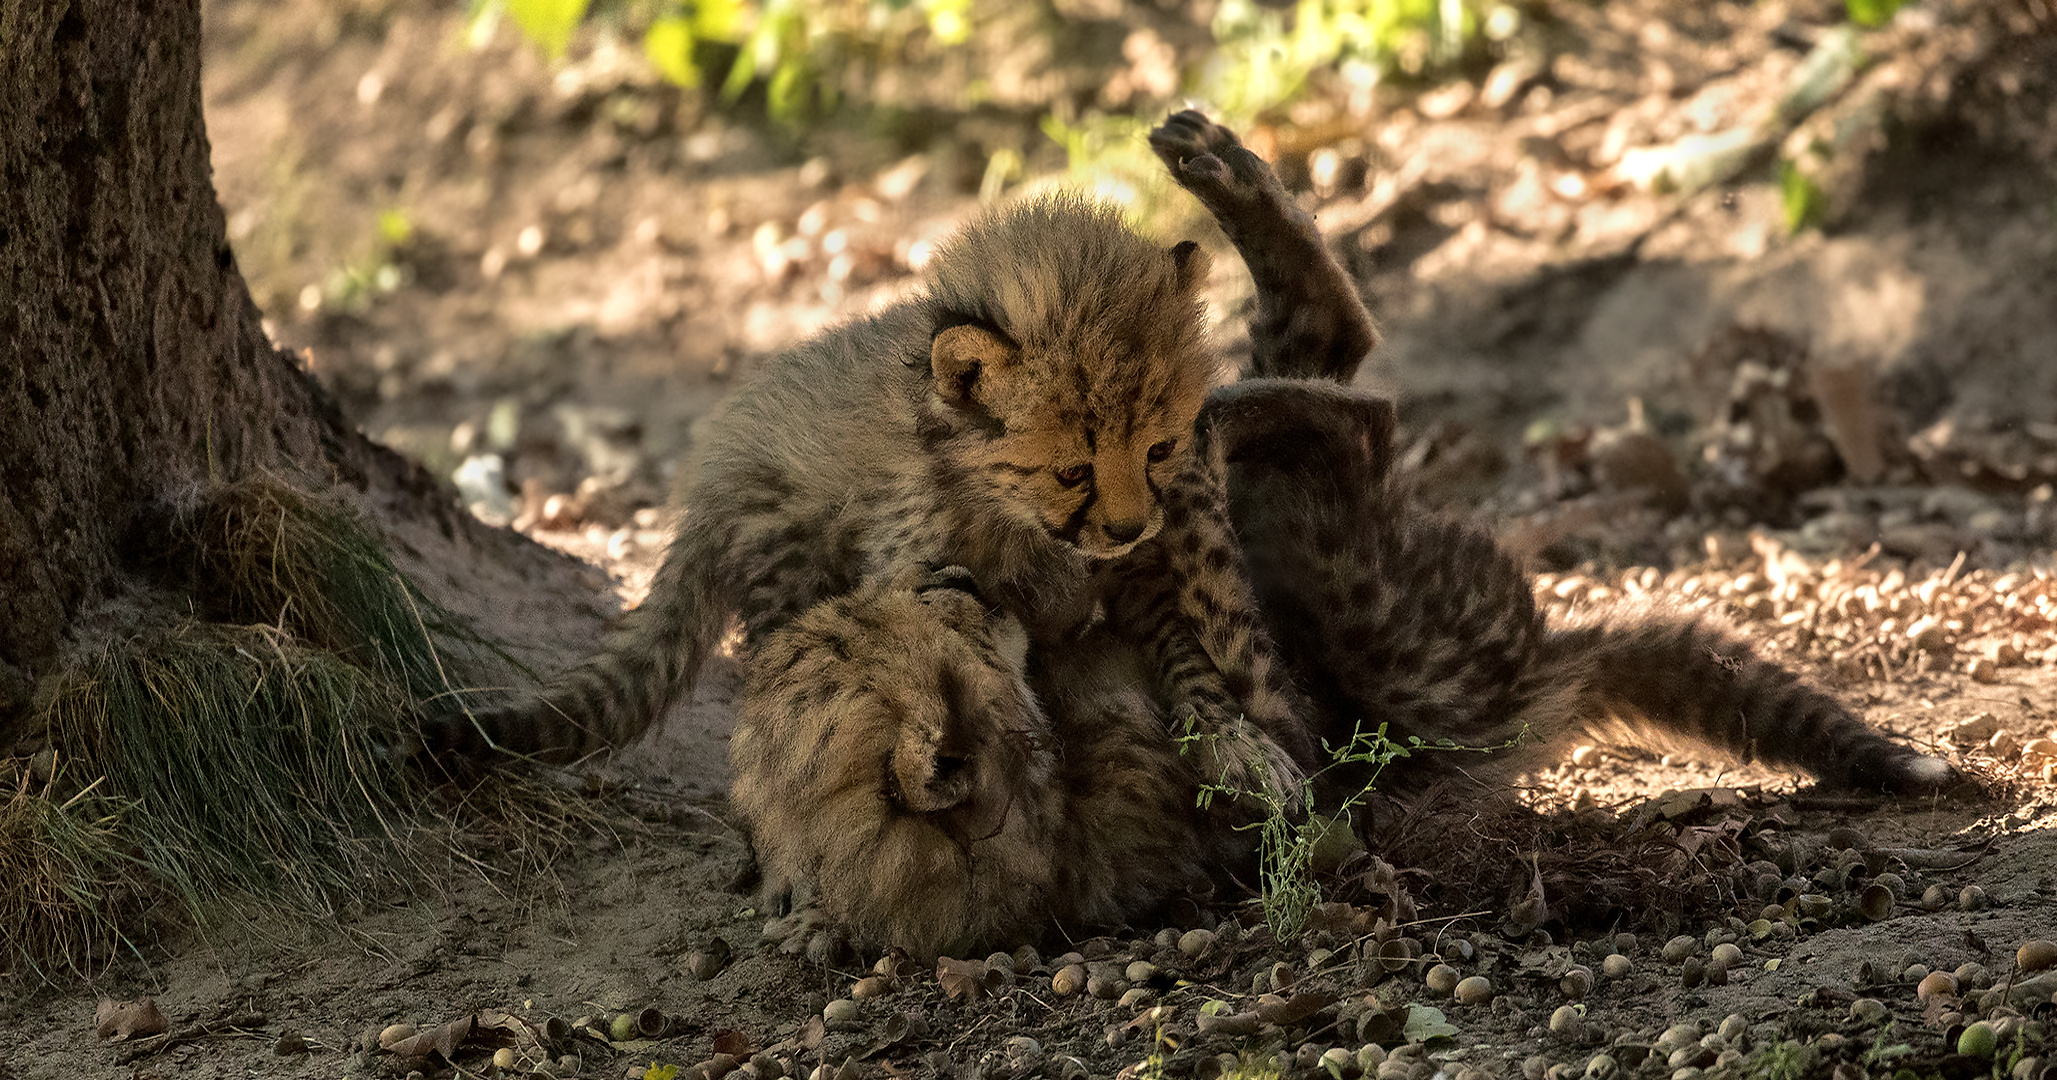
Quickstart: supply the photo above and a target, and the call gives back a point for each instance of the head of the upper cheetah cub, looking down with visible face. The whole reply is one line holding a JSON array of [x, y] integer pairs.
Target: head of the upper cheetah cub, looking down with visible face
[[1069, 365]]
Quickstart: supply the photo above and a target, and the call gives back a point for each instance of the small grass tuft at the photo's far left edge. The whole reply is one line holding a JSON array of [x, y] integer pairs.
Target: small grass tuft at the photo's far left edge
[[65, 867]]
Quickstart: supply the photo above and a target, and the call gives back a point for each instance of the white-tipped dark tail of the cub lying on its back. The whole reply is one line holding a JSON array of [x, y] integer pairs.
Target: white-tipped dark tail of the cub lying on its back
[[1686, 678]]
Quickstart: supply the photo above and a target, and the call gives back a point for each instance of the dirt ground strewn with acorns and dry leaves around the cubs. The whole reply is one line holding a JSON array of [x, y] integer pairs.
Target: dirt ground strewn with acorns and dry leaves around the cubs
[[538, 279]]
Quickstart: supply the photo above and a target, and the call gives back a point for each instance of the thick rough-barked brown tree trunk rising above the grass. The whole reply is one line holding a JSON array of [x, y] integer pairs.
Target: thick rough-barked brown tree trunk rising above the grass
[[137, 365]]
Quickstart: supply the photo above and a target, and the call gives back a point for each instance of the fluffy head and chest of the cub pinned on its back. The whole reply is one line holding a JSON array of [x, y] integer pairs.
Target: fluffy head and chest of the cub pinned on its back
[[896, 770]]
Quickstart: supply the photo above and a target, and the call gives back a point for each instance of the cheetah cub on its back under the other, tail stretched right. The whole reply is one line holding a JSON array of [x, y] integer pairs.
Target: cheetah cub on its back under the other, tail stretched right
[[896, 764]]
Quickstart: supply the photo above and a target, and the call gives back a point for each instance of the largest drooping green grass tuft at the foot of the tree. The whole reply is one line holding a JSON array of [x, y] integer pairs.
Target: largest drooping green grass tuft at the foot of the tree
[[246, 758]]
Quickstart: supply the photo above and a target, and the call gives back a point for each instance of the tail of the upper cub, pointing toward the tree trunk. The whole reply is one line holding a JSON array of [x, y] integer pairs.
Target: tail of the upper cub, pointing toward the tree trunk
[[647, 665]]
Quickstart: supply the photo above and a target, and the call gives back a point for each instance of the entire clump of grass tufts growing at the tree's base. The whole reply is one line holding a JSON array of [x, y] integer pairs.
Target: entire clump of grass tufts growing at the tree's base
[[244, 762]]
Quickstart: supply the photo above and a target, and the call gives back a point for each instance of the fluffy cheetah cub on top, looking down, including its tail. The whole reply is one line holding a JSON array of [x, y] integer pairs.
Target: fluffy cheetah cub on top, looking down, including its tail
[[1021, 421]]
